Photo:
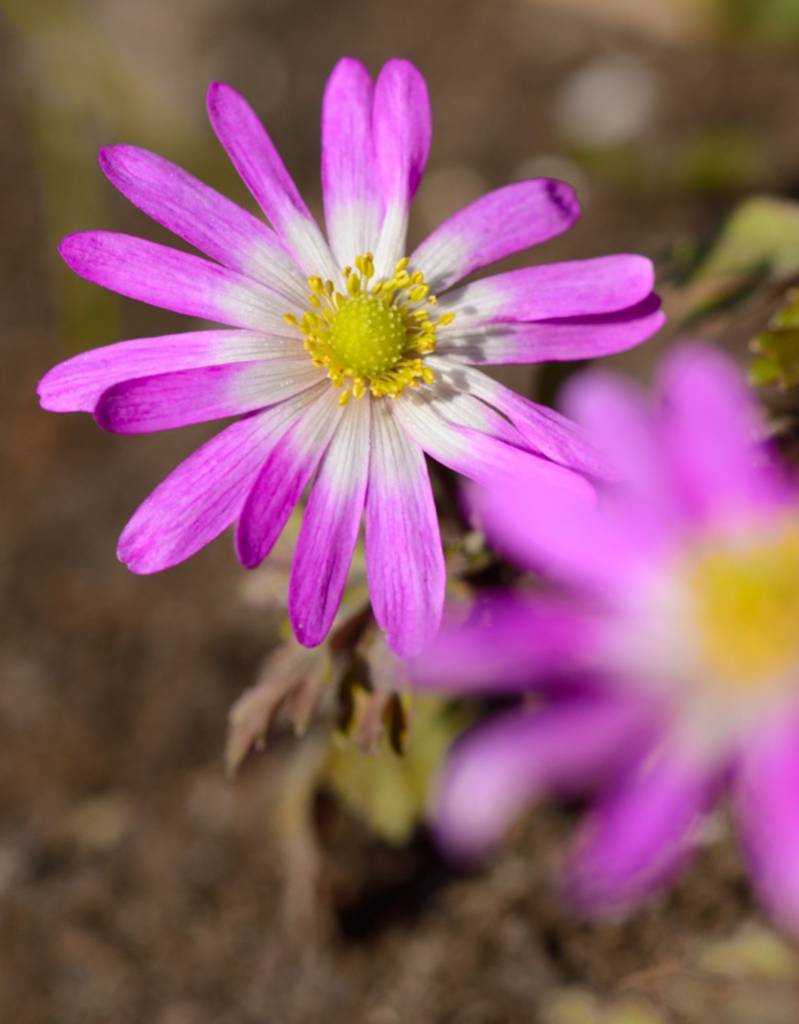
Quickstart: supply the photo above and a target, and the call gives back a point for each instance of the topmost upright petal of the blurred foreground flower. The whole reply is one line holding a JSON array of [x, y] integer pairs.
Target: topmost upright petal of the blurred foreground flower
[[710, 428]]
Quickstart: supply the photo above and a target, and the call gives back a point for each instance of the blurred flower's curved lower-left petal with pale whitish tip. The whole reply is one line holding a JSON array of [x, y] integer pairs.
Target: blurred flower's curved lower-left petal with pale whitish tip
[[499, 769]]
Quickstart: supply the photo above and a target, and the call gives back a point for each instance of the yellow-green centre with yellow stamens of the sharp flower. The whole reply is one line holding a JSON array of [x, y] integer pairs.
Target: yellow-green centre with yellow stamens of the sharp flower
[[374, 338]]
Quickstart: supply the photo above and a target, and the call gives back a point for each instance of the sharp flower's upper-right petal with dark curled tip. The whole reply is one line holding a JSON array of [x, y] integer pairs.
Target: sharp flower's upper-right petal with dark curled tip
[[496, 226]]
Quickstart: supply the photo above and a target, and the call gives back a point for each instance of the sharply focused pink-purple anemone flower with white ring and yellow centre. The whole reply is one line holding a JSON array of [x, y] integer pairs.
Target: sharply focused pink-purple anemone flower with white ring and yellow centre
[[337, 357]]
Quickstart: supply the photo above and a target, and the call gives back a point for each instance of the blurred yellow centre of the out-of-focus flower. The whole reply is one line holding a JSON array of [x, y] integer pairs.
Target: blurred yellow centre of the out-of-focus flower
[[747, 608]]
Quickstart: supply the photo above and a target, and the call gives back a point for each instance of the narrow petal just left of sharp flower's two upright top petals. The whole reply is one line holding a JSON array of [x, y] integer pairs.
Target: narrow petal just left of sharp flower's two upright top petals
[[262, 169]]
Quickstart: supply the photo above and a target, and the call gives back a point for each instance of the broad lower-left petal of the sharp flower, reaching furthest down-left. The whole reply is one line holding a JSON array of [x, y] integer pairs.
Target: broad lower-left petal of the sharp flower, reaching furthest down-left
[[204, 495]]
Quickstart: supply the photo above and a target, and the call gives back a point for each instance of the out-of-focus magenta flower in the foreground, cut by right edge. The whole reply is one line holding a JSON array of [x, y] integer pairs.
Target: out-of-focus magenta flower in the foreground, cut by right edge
[[676, 646]]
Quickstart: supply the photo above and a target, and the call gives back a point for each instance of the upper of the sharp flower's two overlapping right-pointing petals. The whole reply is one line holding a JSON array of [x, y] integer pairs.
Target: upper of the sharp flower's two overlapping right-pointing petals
[[605, 285]]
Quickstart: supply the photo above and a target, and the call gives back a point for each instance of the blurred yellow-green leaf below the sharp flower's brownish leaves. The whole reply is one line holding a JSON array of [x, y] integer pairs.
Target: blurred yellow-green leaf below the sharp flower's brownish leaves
[[389, 790]]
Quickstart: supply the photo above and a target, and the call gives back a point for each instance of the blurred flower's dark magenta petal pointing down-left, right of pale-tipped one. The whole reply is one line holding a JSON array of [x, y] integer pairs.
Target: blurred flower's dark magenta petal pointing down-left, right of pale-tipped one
[[642, 833]]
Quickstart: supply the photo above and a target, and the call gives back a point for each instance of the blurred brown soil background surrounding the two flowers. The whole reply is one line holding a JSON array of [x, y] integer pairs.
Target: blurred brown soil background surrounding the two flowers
[[137, 883]]
